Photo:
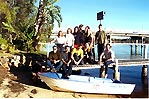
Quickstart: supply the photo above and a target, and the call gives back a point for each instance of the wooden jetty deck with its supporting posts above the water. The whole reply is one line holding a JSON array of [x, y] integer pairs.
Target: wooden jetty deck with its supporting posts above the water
[[115, 66]]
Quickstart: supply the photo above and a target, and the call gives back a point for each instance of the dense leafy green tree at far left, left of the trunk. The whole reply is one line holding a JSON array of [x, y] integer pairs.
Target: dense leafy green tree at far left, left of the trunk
[[20, 21]]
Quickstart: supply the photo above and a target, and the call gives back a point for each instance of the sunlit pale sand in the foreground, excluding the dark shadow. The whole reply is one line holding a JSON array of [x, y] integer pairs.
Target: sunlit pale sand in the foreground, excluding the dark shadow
[[13, 89]]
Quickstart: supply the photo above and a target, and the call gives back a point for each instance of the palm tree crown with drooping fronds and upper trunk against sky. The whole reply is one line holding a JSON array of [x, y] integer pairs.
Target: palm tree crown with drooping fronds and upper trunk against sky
[[48, 13]]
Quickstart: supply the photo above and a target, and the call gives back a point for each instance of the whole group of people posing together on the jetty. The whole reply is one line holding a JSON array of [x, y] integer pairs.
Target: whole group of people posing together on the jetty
[[77, 48]]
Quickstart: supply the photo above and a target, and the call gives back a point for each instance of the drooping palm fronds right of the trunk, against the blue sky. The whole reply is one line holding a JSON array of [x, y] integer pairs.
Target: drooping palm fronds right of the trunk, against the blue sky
[[50, 15]]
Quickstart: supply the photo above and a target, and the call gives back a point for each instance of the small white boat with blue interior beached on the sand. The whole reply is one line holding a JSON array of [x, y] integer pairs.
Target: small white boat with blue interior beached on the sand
[[85, 84]]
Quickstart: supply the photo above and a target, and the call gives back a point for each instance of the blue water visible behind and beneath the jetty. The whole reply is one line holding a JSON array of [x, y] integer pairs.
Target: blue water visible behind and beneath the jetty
[[130, 74]]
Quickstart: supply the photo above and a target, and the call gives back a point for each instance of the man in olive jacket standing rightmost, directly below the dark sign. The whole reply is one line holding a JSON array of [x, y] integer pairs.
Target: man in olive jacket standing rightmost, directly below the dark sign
[[100, 38]]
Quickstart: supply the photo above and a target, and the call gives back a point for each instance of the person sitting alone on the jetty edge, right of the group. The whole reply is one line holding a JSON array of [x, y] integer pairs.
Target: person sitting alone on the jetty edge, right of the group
[[107, 57]]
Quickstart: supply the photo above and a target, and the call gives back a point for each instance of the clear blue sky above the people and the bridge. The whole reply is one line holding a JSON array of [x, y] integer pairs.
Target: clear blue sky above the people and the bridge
[[120, 14]]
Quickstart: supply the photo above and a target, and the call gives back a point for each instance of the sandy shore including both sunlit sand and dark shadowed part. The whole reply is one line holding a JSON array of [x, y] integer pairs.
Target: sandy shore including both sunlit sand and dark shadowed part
[[21, 85]]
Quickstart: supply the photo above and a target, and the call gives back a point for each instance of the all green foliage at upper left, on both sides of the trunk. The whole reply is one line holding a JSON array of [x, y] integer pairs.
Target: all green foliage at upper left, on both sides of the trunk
[[17, 18]]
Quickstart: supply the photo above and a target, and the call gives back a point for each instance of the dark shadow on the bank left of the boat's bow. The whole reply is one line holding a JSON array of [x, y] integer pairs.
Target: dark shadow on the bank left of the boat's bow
[[25, 73]]
